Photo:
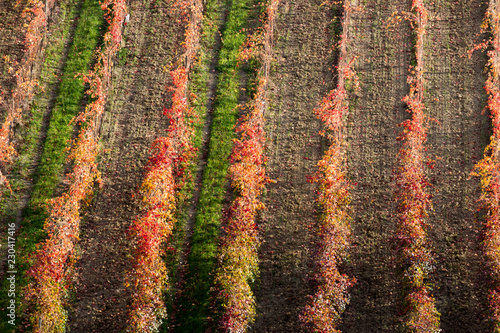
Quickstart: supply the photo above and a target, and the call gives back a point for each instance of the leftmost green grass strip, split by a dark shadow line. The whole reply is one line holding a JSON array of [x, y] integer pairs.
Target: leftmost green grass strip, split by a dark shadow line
[[68, 103]]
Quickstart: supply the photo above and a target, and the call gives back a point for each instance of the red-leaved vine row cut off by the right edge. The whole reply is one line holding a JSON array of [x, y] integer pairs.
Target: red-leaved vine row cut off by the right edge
[[489, 167]]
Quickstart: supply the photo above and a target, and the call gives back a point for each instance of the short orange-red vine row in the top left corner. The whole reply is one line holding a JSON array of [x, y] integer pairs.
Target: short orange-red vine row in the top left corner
[[35, 17]]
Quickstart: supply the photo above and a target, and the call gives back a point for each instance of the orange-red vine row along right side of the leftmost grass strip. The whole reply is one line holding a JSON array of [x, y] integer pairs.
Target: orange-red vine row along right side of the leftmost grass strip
[[52, 273]]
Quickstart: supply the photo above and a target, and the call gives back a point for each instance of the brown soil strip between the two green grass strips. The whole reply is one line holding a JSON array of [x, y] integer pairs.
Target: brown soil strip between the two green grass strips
[[133, 121]]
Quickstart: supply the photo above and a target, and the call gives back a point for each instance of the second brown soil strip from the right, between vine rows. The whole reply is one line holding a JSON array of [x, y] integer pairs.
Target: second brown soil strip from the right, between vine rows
[[384, 56]]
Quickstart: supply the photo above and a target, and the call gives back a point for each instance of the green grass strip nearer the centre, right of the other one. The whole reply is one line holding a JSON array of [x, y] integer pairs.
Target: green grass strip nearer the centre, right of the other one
[[194, 305]]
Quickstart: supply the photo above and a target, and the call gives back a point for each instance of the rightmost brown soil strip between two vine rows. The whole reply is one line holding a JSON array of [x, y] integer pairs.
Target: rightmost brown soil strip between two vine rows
[[455, 98]]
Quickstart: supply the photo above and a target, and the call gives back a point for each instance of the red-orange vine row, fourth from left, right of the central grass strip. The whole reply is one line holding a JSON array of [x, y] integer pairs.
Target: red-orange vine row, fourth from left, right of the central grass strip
[[238, 256]]
